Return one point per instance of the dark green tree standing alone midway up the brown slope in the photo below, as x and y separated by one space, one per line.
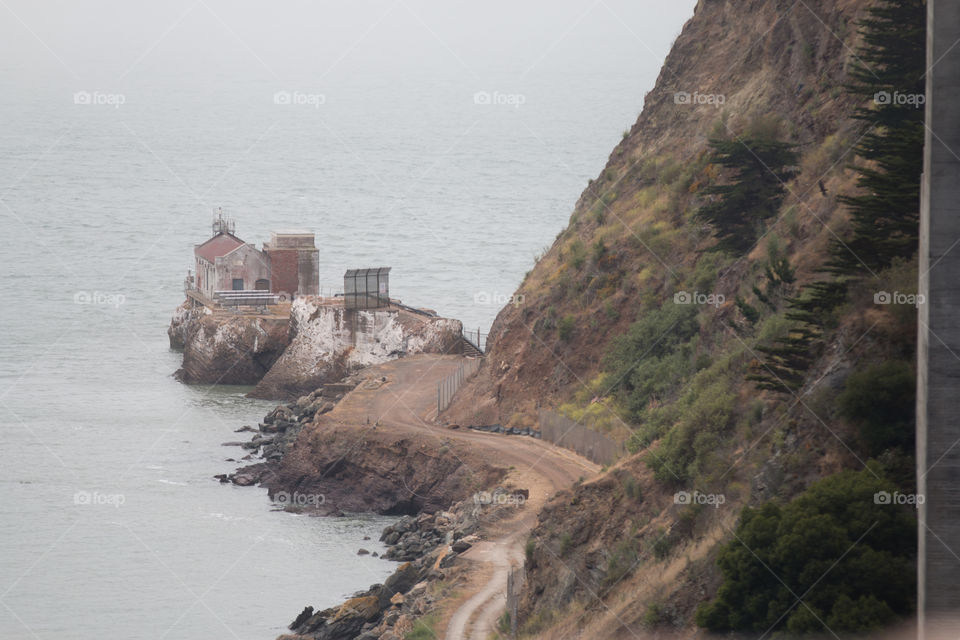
736 210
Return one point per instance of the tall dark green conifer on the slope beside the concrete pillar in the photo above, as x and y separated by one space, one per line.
888 74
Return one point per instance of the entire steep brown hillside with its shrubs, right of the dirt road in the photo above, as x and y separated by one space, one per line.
634 326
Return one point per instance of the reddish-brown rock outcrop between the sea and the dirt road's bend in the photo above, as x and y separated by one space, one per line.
370 469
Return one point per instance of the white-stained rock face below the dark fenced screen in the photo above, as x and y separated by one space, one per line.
329 342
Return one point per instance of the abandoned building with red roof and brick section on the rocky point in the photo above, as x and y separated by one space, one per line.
288 266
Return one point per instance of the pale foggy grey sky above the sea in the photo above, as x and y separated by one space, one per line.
116 43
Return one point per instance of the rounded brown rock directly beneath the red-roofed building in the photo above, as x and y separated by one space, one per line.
220 348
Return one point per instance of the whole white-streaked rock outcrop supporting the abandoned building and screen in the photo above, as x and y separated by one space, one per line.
287 357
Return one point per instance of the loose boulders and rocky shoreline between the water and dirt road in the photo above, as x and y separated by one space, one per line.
427 541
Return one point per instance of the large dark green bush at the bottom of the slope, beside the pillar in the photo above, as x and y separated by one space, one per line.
850 557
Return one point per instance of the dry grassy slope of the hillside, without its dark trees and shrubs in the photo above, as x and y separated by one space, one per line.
618 552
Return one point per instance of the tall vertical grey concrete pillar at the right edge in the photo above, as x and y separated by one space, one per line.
938 348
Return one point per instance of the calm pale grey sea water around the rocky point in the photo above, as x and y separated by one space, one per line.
100 209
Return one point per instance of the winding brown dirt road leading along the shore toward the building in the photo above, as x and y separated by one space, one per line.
407 400
